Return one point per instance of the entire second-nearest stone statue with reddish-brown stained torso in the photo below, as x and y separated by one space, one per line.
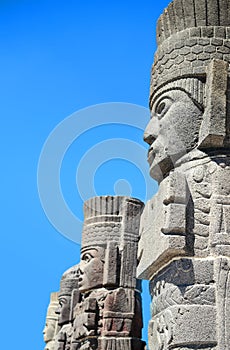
109 314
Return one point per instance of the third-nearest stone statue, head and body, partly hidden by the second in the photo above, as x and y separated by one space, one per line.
67 297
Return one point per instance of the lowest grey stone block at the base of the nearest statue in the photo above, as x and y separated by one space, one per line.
190 325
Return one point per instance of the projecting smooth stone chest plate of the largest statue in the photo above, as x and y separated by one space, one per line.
163 226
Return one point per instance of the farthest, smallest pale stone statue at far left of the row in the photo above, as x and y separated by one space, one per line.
51 327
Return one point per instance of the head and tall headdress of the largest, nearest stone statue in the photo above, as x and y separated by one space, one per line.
189 83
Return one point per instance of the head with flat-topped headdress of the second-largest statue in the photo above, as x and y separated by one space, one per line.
110 234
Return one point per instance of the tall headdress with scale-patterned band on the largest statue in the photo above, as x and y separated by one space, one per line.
207 22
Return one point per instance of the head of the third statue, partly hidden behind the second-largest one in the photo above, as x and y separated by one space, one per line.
68 286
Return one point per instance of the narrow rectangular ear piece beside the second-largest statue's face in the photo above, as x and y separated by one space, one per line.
111 265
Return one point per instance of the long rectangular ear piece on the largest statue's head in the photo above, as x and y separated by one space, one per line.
213 131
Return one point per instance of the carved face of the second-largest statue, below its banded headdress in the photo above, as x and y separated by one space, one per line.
91 269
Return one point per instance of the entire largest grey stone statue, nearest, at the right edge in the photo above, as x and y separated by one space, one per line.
184 247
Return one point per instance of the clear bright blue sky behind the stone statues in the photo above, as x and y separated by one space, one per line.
58 57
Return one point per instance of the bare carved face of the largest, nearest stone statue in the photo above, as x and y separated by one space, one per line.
172 131
